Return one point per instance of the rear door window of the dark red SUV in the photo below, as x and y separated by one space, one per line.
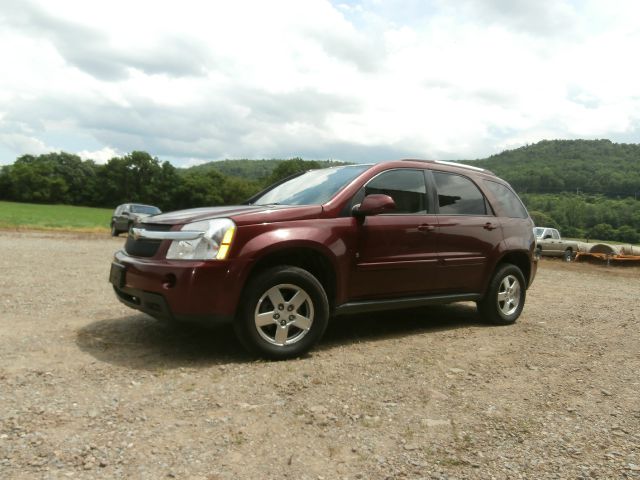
457 195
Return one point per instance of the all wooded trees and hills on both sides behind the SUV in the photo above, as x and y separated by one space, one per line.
585 188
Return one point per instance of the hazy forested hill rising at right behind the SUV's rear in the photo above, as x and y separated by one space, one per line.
578 166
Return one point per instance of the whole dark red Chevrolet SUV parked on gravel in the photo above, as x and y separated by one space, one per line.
335 241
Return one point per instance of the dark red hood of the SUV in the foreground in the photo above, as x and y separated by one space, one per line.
240 214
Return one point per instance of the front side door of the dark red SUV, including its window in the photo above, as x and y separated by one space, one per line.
396 252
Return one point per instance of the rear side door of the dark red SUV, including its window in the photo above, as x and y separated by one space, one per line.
469 235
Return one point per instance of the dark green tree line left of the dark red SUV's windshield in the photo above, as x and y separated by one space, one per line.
64 178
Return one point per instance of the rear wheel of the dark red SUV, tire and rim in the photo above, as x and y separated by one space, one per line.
505 297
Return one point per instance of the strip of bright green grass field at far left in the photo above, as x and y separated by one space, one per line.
54 217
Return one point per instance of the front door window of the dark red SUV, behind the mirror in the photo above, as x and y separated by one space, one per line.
406 187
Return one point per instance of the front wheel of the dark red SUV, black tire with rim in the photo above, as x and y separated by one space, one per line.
289 329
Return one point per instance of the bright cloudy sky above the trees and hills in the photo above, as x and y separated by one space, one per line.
357 80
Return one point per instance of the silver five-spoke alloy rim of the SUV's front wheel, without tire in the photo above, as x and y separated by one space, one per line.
284 314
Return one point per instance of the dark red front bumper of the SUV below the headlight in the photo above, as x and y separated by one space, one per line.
198 291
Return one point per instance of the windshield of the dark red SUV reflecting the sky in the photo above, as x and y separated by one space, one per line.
311 188
